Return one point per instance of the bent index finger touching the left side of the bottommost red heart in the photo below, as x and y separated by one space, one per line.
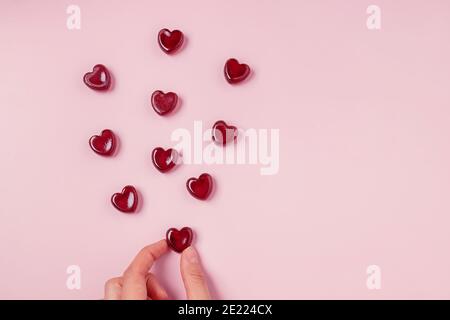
135 276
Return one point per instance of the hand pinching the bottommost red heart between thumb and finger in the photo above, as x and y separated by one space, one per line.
137 283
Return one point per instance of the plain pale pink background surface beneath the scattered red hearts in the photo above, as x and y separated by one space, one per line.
364 157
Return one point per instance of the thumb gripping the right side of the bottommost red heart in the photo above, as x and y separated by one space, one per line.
193 275
